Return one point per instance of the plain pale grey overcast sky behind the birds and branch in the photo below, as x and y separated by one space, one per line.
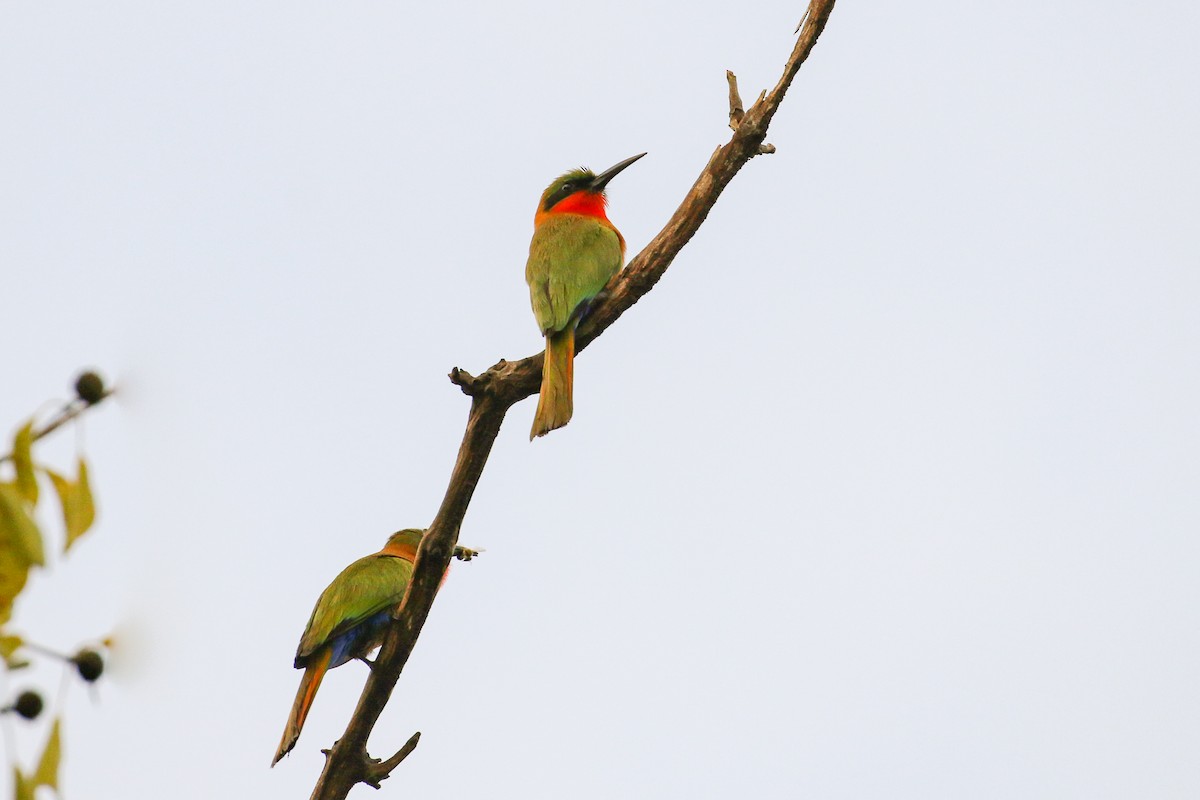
889 490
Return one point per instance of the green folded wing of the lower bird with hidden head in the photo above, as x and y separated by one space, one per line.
362 591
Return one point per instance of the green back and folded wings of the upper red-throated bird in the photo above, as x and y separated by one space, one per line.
572 258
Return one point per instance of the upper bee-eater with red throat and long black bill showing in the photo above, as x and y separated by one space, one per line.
574 254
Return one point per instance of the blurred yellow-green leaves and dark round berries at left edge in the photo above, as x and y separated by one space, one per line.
23 550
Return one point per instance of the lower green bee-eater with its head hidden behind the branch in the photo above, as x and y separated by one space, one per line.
350 621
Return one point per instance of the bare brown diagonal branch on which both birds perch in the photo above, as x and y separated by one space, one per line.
499 389
